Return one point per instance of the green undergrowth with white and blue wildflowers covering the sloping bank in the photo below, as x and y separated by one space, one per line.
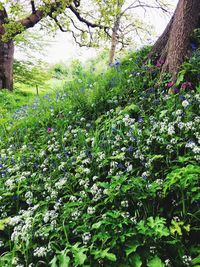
103 173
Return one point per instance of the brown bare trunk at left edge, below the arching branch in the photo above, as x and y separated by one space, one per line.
6 65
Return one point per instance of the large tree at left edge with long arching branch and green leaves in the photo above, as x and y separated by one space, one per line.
18 16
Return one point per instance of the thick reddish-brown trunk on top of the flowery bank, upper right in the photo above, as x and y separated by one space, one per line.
174 44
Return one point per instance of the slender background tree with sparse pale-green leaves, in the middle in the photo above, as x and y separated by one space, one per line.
125 20
